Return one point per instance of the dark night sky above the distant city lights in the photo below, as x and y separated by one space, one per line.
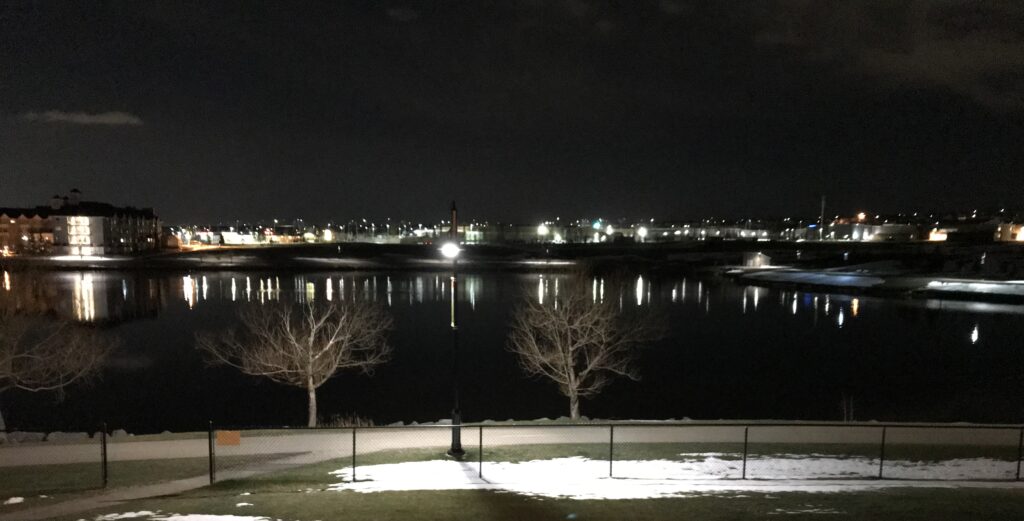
522 111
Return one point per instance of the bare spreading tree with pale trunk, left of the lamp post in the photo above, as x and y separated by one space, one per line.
304 345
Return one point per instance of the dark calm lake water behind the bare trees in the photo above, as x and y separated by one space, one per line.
734 353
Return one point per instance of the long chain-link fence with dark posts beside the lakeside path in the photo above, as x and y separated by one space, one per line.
436 456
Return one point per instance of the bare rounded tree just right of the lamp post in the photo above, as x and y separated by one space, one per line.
579 341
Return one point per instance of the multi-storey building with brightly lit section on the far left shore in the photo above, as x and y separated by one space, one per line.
72 227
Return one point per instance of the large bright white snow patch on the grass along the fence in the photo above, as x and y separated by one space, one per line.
580 479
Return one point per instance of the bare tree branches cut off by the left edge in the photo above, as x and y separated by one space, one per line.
37 355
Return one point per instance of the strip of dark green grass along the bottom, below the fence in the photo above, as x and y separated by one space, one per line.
923 505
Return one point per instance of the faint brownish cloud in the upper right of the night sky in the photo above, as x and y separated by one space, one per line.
975 50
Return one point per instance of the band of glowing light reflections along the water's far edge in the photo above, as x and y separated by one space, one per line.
91 295
